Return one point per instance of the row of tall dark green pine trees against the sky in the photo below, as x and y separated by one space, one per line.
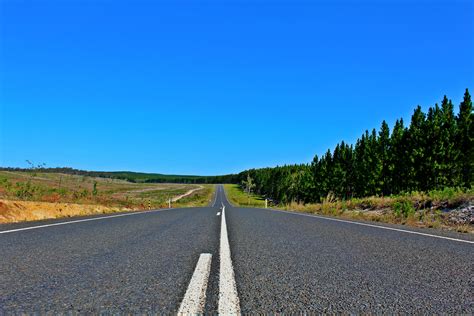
434 151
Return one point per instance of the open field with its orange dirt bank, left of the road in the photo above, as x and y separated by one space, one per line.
81 195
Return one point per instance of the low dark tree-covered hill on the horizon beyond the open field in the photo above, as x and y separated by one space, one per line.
135 176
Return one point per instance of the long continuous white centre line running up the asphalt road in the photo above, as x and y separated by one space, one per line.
228 298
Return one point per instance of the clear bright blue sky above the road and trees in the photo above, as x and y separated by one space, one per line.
190 87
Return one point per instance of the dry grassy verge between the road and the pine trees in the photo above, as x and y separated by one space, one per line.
416 209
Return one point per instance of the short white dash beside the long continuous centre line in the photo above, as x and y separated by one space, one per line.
195 297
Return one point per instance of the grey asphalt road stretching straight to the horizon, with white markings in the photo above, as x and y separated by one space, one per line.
279 262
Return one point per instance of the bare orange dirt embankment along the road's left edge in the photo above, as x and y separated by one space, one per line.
17 211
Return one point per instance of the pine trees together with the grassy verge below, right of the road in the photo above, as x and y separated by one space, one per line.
420 174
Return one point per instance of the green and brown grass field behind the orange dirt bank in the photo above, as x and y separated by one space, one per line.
110 193
